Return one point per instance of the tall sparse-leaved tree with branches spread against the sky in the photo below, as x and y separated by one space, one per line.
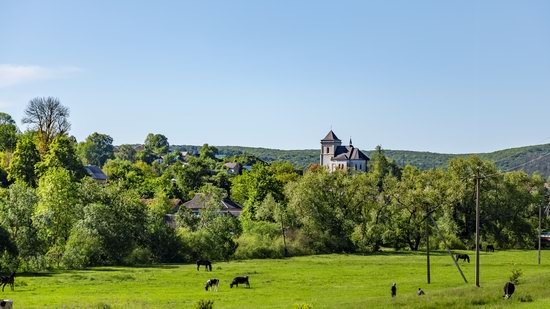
49 118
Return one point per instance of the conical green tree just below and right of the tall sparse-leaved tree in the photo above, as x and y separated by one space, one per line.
62 154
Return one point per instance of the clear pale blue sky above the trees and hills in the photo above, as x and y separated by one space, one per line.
442 76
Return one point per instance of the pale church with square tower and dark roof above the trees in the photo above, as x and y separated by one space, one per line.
335 157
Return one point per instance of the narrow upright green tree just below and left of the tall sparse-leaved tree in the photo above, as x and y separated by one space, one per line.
25 157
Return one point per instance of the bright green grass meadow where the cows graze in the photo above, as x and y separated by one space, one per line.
324 281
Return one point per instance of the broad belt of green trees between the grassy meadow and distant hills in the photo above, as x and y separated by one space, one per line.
53 215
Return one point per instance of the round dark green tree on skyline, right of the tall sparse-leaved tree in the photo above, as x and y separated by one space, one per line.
97 149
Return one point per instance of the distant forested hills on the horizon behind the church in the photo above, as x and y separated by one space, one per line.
530 158
